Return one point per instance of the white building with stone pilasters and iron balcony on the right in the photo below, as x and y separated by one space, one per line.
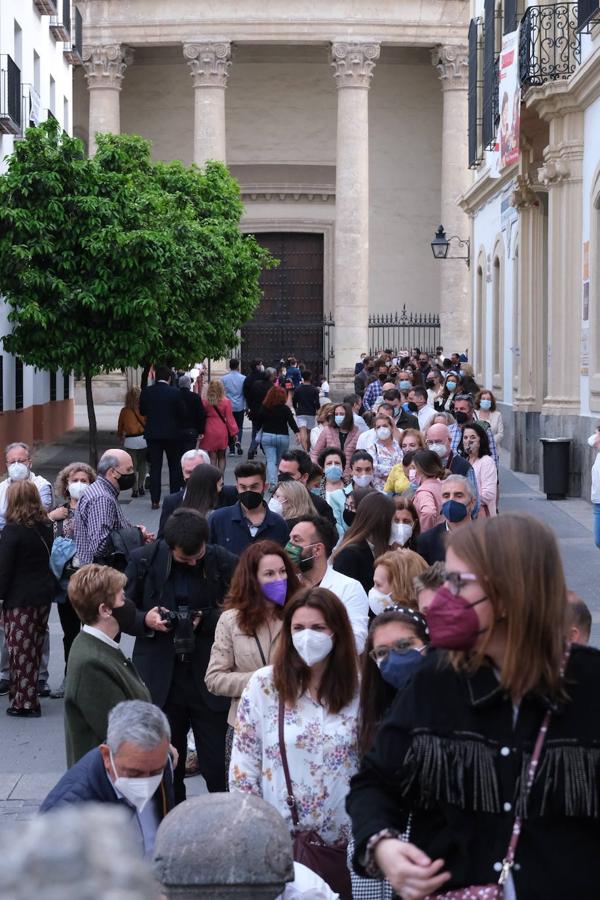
535 235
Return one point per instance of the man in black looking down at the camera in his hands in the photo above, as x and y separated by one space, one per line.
186 576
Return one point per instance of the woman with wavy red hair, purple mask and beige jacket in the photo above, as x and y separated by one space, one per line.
263 581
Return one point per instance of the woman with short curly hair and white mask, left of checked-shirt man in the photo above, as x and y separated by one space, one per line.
71 483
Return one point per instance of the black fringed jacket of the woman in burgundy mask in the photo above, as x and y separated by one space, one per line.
449 754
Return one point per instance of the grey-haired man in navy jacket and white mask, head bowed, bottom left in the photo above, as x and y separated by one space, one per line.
132 768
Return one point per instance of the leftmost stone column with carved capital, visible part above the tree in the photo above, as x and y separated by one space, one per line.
104 66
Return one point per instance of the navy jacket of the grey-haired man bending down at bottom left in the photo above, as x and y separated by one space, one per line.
87 782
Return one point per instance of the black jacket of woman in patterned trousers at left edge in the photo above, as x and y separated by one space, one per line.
25 576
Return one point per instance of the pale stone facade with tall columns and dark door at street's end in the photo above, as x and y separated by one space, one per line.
345 125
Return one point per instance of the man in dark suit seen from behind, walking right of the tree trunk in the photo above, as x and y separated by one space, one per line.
165 411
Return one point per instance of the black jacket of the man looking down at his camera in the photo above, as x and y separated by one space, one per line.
149 584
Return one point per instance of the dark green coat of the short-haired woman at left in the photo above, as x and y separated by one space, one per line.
98 677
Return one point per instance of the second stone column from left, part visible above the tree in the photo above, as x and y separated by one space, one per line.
209 64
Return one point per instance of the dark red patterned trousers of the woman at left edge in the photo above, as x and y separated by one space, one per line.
25 630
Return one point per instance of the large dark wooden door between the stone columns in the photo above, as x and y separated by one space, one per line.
289 320
